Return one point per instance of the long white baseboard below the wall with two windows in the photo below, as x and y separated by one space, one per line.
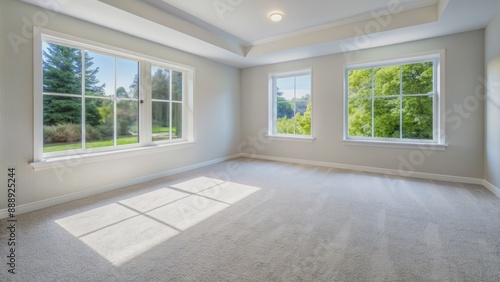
391 172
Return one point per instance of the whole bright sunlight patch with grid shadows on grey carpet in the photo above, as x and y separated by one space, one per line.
121 231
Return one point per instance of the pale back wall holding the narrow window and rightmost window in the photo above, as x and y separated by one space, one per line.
464 67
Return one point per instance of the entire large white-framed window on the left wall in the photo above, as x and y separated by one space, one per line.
97 98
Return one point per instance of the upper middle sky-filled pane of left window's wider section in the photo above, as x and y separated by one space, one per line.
99 74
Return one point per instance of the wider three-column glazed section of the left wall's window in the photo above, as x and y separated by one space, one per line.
90 99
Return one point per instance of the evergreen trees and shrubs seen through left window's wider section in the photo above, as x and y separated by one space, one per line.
62 74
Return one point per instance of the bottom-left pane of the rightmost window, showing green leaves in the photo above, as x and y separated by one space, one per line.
360 118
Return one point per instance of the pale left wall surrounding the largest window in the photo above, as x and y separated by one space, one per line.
216 110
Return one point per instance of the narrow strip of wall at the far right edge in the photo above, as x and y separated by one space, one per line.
492 115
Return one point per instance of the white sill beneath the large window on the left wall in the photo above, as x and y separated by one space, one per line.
73 160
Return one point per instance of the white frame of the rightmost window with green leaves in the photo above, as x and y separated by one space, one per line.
439 112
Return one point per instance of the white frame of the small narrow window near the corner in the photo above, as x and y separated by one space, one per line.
272 109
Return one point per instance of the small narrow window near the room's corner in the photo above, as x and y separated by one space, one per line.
290 104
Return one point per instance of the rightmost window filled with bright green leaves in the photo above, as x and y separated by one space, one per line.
394 101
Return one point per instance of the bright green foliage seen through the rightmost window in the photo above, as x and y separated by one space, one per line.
387 107
